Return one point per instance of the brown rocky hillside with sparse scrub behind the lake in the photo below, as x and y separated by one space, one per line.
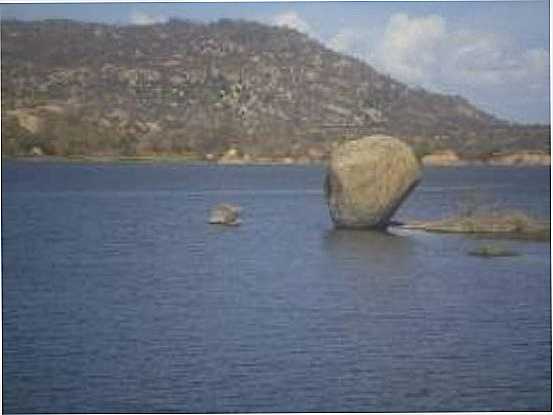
183 88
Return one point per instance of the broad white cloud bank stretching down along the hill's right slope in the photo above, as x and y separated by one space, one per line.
488 68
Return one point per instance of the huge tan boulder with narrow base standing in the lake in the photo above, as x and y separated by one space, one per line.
368 179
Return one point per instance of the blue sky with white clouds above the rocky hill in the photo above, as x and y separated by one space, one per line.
494 53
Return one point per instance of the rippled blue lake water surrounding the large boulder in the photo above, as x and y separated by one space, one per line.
118 296
